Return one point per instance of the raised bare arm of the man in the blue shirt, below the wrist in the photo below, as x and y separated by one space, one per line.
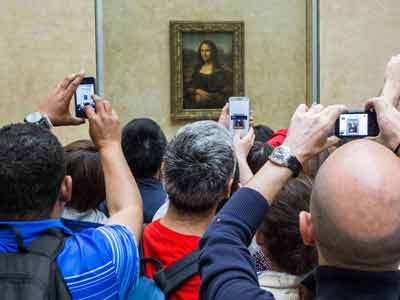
122 194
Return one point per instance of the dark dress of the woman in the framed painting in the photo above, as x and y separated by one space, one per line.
218 84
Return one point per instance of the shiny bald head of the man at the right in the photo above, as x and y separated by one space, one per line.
355 207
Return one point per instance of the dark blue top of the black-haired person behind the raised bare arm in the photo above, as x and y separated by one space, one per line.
153 196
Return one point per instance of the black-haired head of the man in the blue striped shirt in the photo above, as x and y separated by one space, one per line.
32 172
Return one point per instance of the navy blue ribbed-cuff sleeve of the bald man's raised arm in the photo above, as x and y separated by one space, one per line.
225 263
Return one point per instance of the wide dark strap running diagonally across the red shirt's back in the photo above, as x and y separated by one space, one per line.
171 278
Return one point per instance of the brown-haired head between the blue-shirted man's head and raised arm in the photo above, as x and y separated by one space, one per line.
84 166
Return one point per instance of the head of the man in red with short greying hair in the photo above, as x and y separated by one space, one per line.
198 167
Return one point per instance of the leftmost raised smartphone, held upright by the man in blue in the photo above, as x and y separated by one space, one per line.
83 96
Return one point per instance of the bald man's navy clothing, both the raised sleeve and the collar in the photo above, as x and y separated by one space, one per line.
227 269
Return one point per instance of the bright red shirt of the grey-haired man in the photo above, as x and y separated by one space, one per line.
169 246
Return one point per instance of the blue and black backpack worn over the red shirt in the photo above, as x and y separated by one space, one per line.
165 280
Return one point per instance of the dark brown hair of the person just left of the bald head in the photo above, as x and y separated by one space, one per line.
281 232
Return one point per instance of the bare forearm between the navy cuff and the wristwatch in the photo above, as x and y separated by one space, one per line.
269 180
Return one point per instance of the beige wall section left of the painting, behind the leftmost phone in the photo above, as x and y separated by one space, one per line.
40 43
